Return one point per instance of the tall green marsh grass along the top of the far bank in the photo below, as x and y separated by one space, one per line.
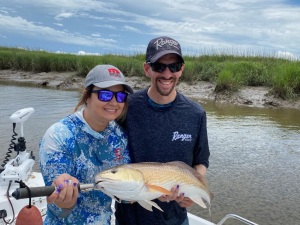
228 72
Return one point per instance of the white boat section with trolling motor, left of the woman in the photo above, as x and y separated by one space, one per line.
18 173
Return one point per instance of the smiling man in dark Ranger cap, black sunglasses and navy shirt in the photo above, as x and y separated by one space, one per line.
163 126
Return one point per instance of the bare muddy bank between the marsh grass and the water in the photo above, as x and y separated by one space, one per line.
250 96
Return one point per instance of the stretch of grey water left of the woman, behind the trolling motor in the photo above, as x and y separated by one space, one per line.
50 105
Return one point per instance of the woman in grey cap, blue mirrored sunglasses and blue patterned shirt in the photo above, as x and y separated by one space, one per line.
79 146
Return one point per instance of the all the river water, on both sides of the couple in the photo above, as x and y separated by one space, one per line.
255 153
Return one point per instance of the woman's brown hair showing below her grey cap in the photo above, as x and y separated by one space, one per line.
87 92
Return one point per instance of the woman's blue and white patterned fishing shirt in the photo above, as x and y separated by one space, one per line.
72 146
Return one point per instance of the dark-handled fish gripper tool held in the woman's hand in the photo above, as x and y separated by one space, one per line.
21 193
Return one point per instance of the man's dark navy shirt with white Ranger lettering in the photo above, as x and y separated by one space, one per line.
163 133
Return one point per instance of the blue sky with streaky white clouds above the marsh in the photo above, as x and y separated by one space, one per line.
239 27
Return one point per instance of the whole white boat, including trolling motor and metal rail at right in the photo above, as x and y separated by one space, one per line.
21 187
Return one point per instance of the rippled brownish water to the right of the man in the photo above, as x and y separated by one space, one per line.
254 164
